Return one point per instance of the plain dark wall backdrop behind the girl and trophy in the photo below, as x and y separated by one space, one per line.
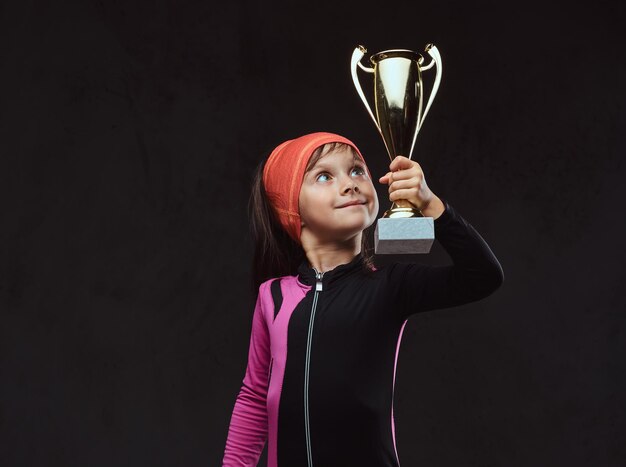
128 136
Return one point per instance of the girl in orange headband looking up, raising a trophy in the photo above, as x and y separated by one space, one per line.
327 323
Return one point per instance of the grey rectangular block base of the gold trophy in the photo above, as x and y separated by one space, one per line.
403 235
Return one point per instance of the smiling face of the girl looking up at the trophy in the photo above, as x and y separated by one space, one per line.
336 179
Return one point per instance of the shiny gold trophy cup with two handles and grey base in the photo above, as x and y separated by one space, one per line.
398 99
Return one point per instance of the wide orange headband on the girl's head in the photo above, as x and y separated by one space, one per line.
284 172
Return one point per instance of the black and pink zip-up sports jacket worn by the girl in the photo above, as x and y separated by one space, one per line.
323 352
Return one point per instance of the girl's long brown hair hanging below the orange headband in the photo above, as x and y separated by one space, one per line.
275 252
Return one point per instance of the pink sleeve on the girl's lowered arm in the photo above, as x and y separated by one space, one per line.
247 433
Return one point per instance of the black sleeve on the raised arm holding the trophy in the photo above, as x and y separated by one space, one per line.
474 274
